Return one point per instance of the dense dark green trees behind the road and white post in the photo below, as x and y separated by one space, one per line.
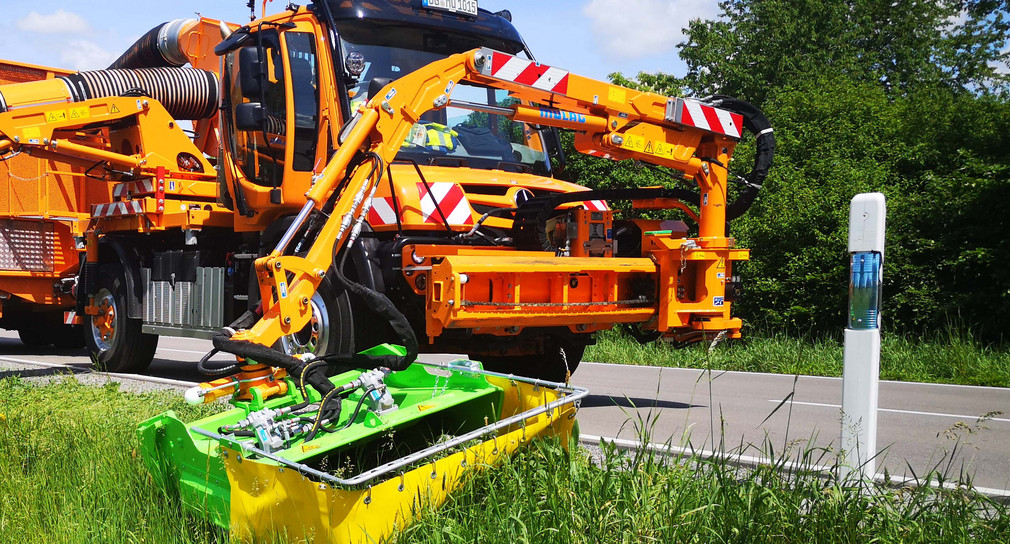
905 97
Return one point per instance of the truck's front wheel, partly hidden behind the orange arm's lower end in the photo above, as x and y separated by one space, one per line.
332 330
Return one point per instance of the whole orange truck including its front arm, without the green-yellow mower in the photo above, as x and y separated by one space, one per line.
351 173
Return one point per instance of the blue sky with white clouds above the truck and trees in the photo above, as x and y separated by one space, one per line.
589 38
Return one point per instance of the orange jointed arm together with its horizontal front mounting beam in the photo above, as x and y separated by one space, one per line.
676 286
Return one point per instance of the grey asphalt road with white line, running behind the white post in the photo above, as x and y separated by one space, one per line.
923 427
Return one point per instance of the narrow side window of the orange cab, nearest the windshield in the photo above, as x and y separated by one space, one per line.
306 94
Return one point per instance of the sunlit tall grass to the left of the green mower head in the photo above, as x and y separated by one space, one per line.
70 471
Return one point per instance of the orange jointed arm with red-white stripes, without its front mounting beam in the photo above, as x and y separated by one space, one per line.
614 122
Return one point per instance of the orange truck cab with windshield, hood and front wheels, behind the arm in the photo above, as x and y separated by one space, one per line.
290 85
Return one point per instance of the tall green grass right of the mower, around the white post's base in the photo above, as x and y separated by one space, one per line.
545 495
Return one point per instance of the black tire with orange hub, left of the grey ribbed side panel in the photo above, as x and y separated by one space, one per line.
115 341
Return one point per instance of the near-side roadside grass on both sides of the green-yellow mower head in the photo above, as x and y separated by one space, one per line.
70 473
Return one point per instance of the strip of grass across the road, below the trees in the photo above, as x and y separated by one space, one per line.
952 358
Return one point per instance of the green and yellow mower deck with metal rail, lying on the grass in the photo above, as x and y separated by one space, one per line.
252 492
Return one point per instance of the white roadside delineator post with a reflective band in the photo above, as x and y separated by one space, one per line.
861 375
